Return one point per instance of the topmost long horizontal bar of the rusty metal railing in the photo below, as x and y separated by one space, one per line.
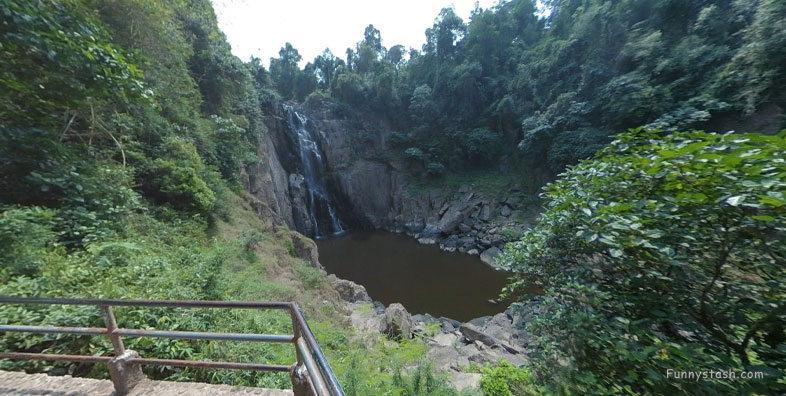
149 303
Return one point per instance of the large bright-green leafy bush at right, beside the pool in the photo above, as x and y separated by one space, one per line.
663 253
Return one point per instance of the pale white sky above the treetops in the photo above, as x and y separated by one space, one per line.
261 27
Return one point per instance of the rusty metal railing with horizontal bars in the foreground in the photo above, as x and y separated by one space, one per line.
320 379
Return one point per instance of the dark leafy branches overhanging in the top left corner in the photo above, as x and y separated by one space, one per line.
40 40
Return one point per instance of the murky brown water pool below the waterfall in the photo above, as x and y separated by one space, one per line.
423 278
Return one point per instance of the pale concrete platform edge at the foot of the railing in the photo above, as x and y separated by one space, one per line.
22 384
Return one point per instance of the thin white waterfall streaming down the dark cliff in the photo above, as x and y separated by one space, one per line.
321 210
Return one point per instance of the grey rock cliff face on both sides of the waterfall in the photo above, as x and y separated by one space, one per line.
370 187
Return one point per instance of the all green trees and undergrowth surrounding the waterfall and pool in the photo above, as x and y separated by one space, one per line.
654 131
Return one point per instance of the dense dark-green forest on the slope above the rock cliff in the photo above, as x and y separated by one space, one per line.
585 70
